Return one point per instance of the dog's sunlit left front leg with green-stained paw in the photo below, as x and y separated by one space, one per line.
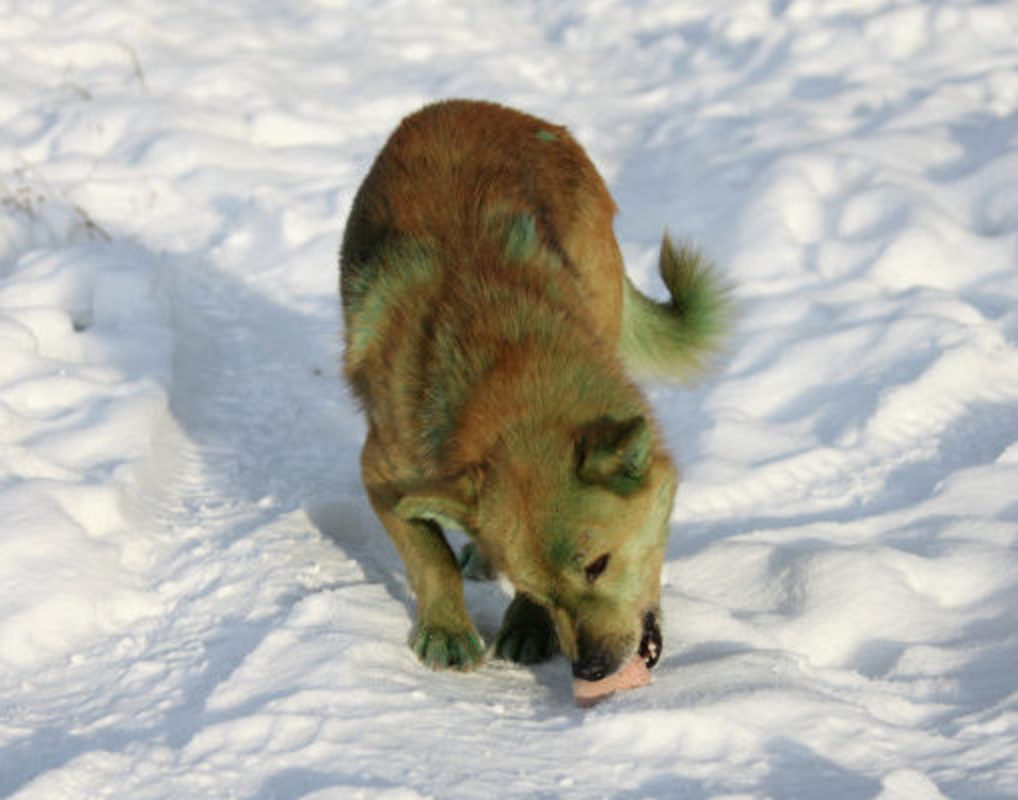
445 637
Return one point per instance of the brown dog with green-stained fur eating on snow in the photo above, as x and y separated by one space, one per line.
489 325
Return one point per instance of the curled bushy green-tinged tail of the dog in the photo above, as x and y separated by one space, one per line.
676 339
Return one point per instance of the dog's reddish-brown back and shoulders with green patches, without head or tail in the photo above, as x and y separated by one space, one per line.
478 228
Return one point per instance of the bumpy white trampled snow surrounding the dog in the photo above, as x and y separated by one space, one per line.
196 600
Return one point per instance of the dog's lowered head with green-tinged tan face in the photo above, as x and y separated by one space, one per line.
579 521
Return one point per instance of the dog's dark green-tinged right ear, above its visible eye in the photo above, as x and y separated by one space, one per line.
613 453
